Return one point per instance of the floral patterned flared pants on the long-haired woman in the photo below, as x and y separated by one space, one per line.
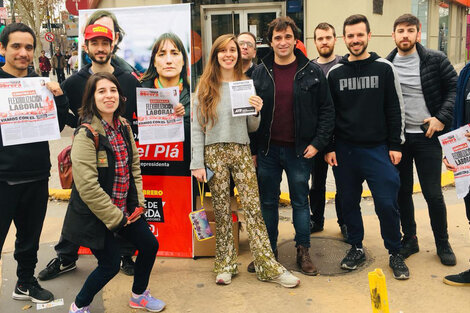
223 159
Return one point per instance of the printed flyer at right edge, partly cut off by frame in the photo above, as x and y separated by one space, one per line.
456 149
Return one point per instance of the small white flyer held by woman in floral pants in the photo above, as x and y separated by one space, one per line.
240 93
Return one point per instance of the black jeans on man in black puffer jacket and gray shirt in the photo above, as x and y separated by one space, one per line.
427 155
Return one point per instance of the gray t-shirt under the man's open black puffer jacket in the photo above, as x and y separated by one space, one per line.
416 111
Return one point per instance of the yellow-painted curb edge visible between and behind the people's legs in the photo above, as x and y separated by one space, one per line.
446 180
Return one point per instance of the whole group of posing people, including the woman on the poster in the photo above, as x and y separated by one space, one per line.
366 116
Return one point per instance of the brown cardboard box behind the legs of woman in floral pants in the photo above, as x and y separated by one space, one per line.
207 247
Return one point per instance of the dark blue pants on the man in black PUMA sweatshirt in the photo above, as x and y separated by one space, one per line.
356 164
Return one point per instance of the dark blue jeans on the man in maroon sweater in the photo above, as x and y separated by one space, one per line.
298 170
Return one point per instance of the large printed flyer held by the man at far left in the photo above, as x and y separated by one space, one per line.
27 111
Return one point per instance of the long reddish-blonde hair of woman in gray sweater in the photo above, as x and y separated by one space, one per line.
209 85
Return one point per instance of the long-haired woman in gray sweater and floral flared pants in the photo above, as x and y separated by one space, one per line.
221 142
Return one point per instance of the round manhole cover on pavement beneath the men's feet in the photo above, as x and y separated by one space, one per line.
326 254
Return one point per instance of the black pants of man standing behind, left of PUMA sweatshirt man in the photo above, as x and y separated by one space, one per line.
317 192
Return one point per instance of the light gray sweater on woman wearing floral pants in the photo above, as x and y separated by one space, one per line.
227 129
